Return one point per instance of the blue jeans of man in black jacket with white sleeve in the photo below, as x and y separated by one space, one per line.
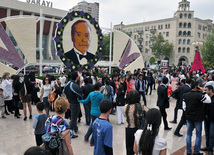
190 127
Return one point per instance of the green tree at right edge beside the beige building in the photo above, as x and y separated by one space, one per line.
207 51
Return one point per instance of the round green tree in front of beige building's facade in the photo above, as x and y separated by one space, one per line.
161 48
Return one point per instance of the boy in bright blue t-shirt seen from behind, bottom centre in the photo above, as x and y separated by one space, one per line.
102 130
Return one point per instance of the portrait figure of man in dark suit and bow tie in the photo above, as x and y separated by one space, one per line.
80 36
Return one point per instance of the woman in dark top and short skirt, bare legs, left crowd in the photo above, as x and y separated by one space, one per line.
27 86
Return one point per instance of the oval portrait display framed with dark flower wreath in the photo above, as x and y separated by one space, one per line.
78 40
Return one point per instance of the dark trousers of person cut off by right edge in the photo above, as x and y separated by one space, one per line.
209 132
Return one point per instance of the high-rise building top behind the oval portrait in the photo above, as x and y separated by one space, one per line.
91 8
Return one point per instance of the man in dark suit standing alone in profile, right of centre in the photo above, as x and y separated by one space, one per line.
163 101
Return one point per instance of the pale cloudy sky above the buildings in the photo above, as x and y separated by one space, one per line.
135 11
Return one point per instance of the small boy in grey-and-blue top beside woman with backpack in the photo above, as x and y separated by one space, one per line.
39 123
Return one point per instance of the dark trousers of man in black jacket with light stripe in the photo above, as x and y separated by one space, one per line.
75 110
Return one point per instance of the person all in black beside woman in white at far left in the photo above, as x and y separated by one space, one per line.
17 87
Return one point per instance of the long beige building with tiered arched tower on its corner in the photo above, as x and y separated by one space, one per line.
181 31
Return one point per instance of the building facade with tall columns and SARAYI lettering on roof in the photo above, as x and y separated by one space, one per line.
10 8
